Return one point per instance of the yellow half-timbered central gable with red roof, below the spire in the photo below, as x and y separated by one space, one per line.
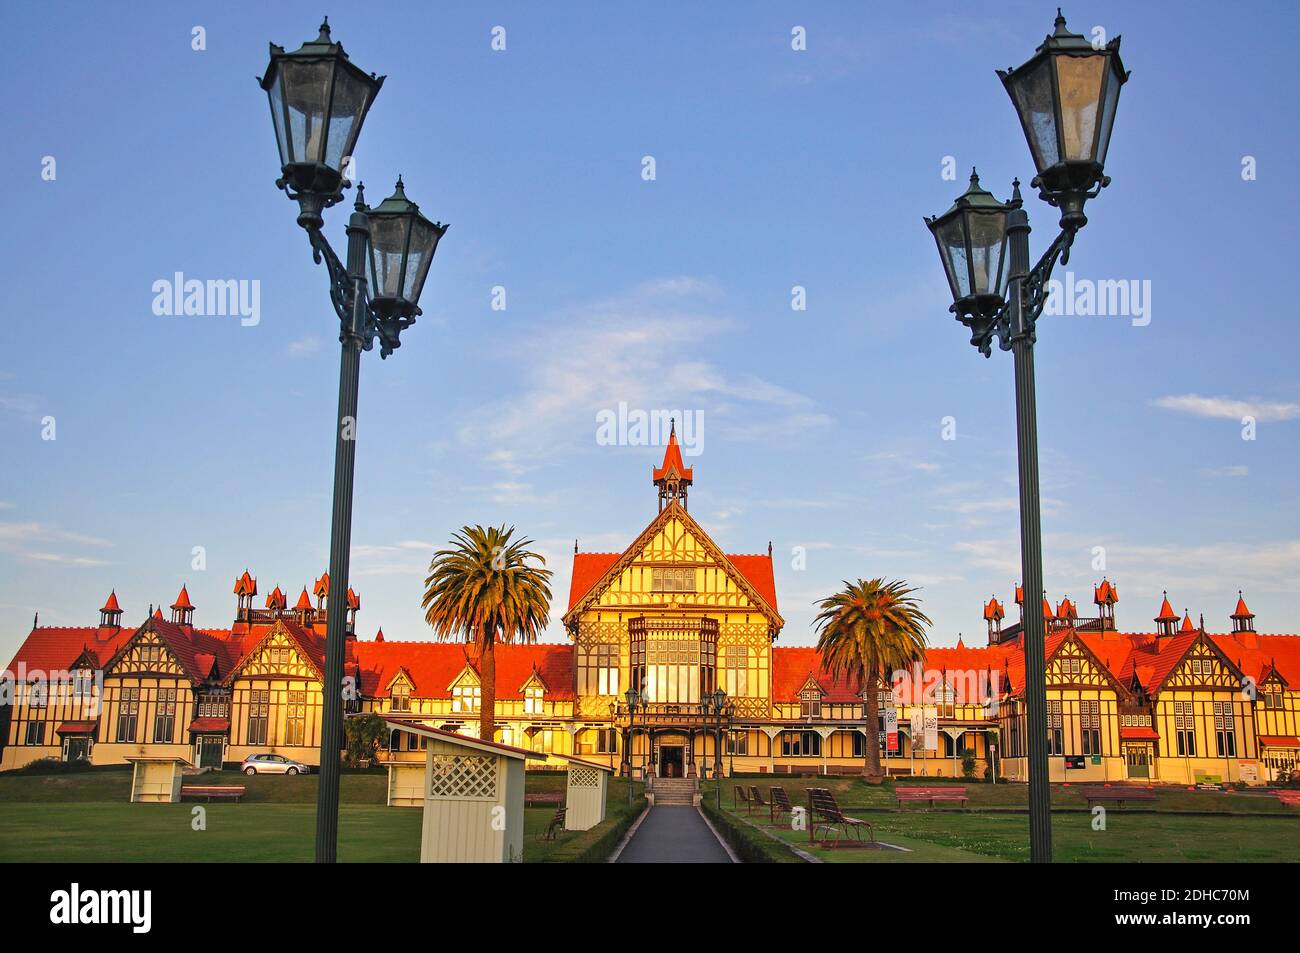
673 564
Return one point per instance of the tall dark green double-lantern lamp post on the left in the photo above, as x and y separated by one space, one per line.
319 101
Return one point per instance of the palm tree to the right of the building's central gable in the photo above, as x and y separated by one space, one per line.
868 629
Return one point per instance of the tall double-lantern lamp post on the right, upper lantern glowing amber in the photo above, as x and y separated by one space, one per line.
1067 98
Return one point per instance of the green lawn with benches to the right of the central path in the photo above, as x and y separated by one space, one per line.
1242 828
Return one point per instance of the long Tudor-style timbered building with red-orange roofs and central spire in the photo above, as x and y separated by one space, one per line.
674 618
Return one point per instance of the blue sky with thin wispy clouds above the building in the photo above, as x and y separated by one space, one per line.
775 168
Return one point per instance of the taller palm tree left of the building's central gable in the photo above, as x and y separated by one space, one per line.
483 591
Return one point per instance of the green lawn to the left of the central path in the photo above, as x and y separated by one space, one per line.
88 817
